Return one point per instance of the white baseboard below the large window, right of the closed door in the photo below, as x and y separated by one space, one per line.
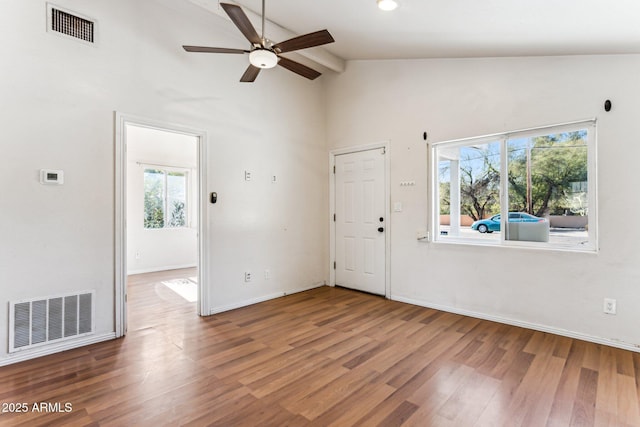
527 325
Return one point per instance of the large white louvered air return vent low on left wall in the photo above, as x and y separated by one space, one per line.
42 321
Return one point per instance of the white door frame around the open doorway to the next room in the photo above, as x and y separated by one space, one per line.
121 121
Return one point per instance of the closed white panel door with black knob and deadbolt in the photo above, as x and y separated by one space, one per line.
360 221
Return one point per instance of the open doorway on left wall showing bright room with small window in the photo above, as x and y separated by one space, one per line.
159 217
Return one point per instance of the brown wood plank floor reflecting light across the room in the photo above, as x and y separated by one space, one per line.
325 357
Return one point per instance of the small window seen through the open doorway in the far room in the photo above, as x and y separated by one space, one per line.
165 198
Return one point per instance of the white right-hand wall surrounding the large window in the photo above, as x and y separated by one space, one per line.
559 291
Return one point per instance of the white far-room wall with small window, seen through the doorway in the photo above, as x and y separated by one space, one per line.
166 248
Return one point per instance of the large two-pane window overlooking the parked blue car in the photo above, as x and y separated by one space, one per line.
527 188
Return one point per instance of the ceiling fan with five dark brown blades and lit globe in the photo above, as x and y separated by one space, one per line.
264 53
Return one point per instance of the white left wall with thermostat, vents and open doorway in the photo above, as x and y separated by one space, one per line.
58 99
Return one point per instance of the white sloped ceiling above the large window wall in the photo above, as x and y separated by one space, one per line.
462 28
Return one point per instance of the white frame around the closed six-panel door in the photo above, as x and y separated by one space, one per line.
387 208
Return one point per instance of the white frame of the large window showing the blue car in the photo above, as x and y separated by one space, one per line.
503 138
